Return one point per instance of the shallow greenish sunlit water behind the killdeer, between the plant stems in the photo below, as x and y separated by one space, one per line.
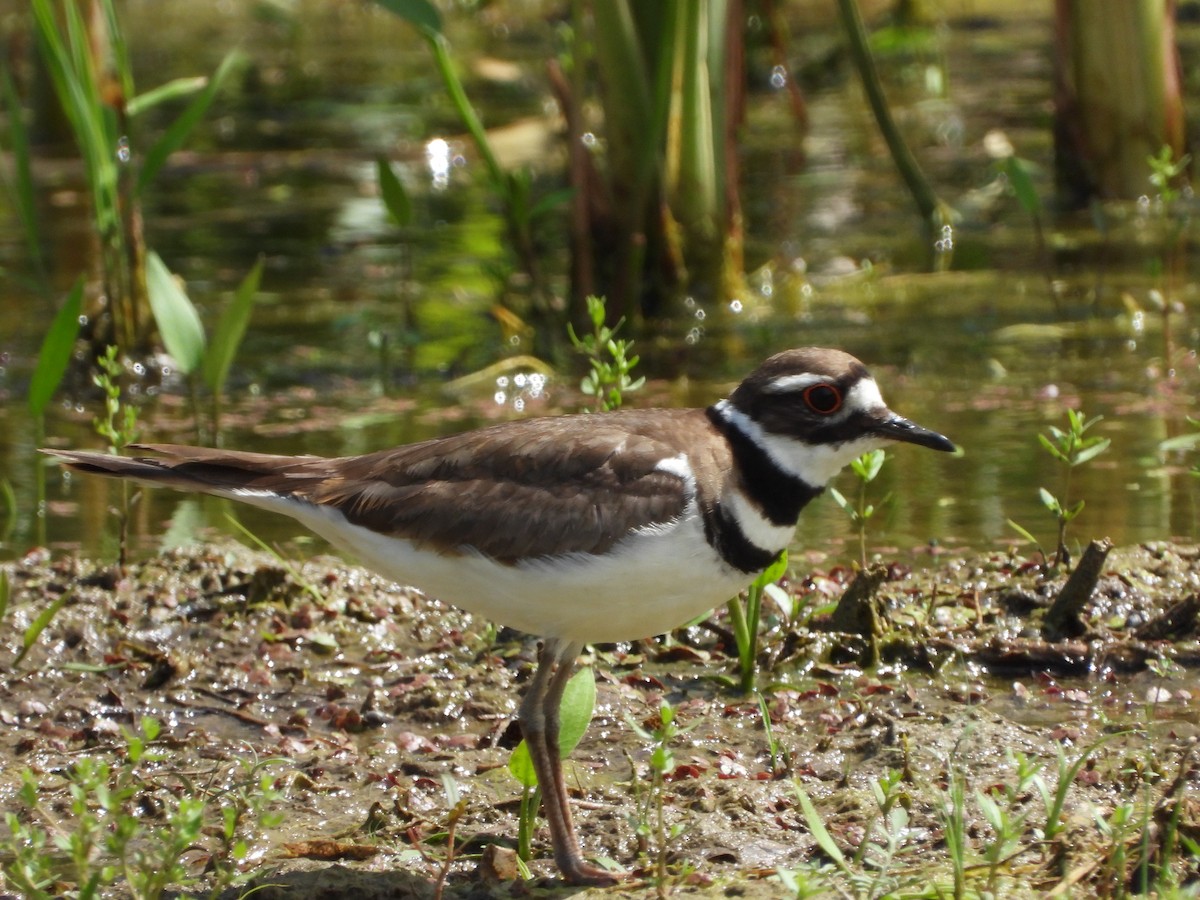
837 257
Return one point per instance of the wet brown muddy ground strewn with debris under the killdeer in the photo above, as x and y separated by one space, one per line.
357 699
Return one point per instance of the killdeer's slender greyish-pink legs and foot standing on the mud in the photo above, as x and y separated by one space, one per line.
539 725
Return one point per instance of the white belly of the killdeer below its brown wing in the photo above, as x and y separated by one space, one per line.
644 587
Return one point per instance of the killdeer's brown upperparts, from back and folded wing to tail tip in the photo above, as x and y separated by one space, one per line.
541 487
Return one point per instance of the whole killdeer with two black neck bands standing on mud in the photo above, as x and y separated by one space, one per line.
578 529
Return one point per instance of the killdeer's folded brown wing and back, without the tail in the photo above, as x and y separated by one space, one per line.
537 488
